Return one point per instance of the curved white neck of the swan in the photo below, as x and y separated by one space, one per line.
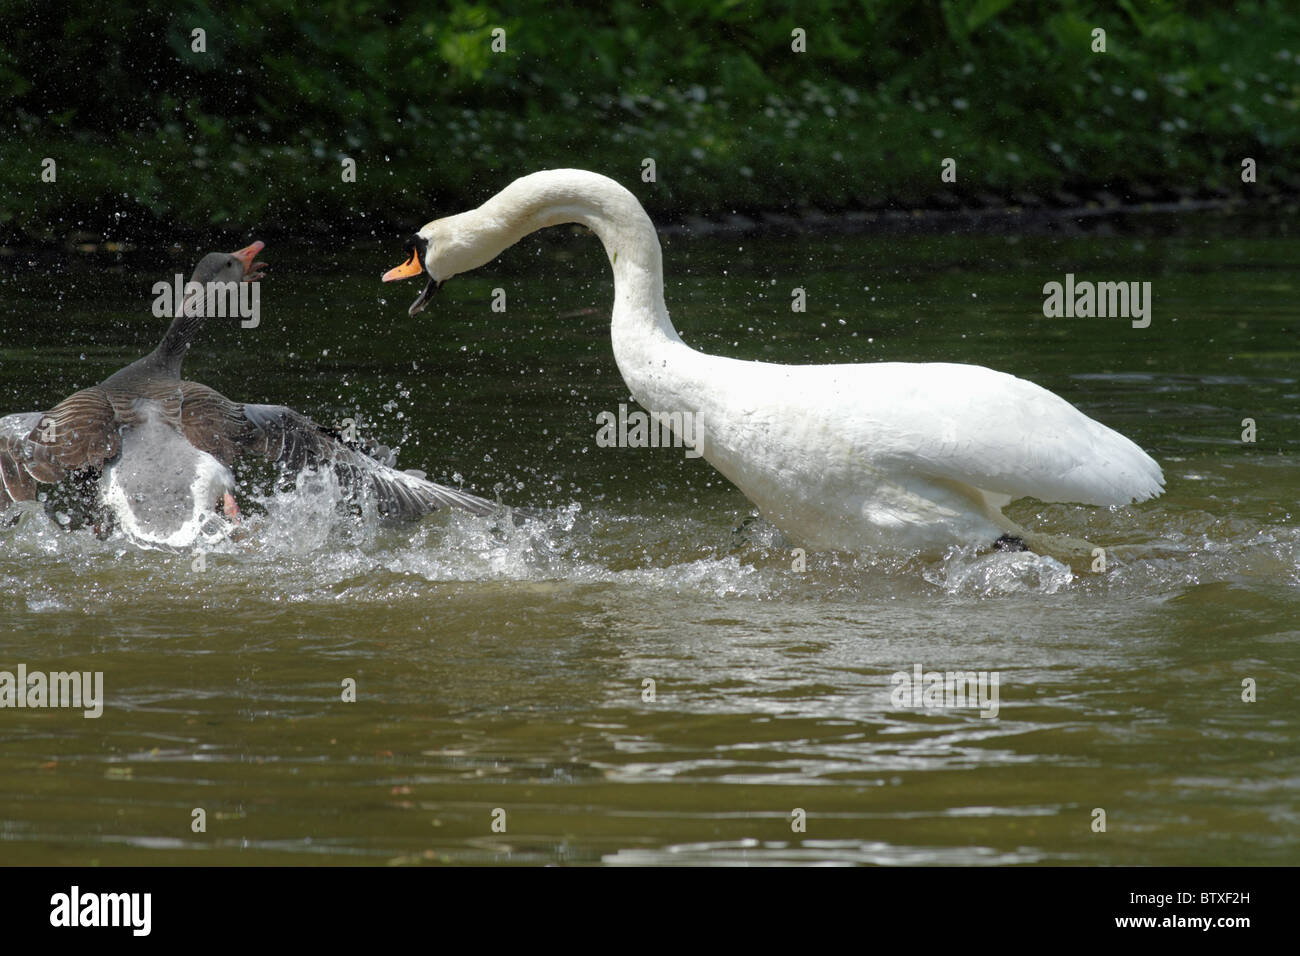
640 322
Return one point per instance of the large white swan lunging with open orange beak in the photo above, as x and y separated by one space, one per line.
851 457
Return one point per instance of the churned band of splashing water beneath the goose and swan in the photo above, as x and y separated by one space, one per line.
305 543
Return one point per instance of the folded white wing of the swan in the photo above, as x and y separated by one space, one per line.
1008 436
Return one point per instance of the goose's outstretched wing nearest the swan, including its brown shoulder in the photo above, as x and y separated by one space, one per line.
296 443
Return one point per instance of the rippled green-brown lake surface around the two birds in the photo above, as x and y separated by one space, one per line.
504 668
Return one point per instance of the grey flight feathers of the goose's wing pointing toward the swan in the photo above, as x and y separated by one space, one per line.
297 443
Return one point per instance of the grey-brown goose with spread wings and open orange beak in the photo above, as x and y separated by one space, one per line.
161 449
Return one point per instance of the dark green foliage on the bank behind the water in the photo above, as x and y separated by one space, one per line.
253 132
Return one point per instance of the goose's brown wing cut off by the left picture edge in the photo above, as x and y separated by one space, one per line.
42 448
